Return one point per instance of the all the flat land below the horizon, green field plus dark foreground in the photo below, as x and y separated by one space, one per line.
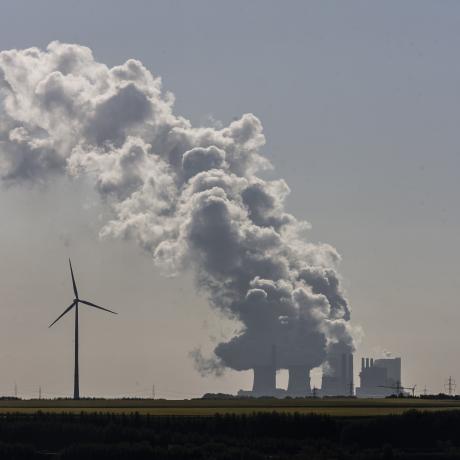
241 429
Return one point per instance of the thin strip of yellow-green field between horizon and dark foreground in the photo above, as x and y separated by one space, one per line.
336 407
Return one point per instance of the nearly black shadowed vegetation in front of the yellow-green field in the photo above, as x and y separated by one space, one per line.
275 436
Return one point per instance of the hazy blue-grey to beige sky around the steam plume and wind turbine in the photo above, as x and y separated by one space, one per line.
360 103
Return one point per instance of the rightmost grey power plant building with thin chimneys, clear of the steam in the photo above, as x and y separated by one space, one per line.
379 377
